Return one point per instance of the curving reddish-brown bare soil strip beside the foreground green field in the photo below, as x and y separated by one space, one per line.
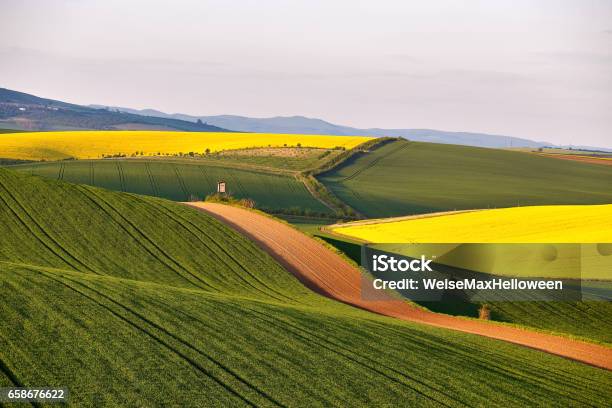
329 274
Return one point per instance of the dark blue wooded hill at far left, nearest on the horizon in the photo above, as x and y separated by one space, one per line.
23 111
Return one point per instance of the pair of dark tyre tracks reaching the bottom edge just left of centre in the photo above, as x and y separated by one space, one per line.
206 371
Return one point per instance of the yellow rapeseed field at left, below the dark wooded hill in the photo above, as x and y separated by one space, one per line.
94 144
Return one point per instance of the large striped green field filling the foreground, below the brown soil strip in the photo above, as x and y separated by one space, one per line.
134 300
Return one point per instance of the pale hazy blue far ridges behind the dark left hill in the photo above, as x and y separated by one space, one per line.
303 125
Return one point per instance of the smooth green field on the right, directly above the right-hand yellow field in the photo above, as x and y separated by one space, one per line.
402 178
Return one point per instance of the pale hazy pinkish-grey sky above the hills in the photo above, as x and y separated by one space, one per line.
536 69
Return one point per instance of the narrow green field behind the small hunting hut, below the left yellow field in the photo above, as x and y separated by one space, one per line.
181 180
